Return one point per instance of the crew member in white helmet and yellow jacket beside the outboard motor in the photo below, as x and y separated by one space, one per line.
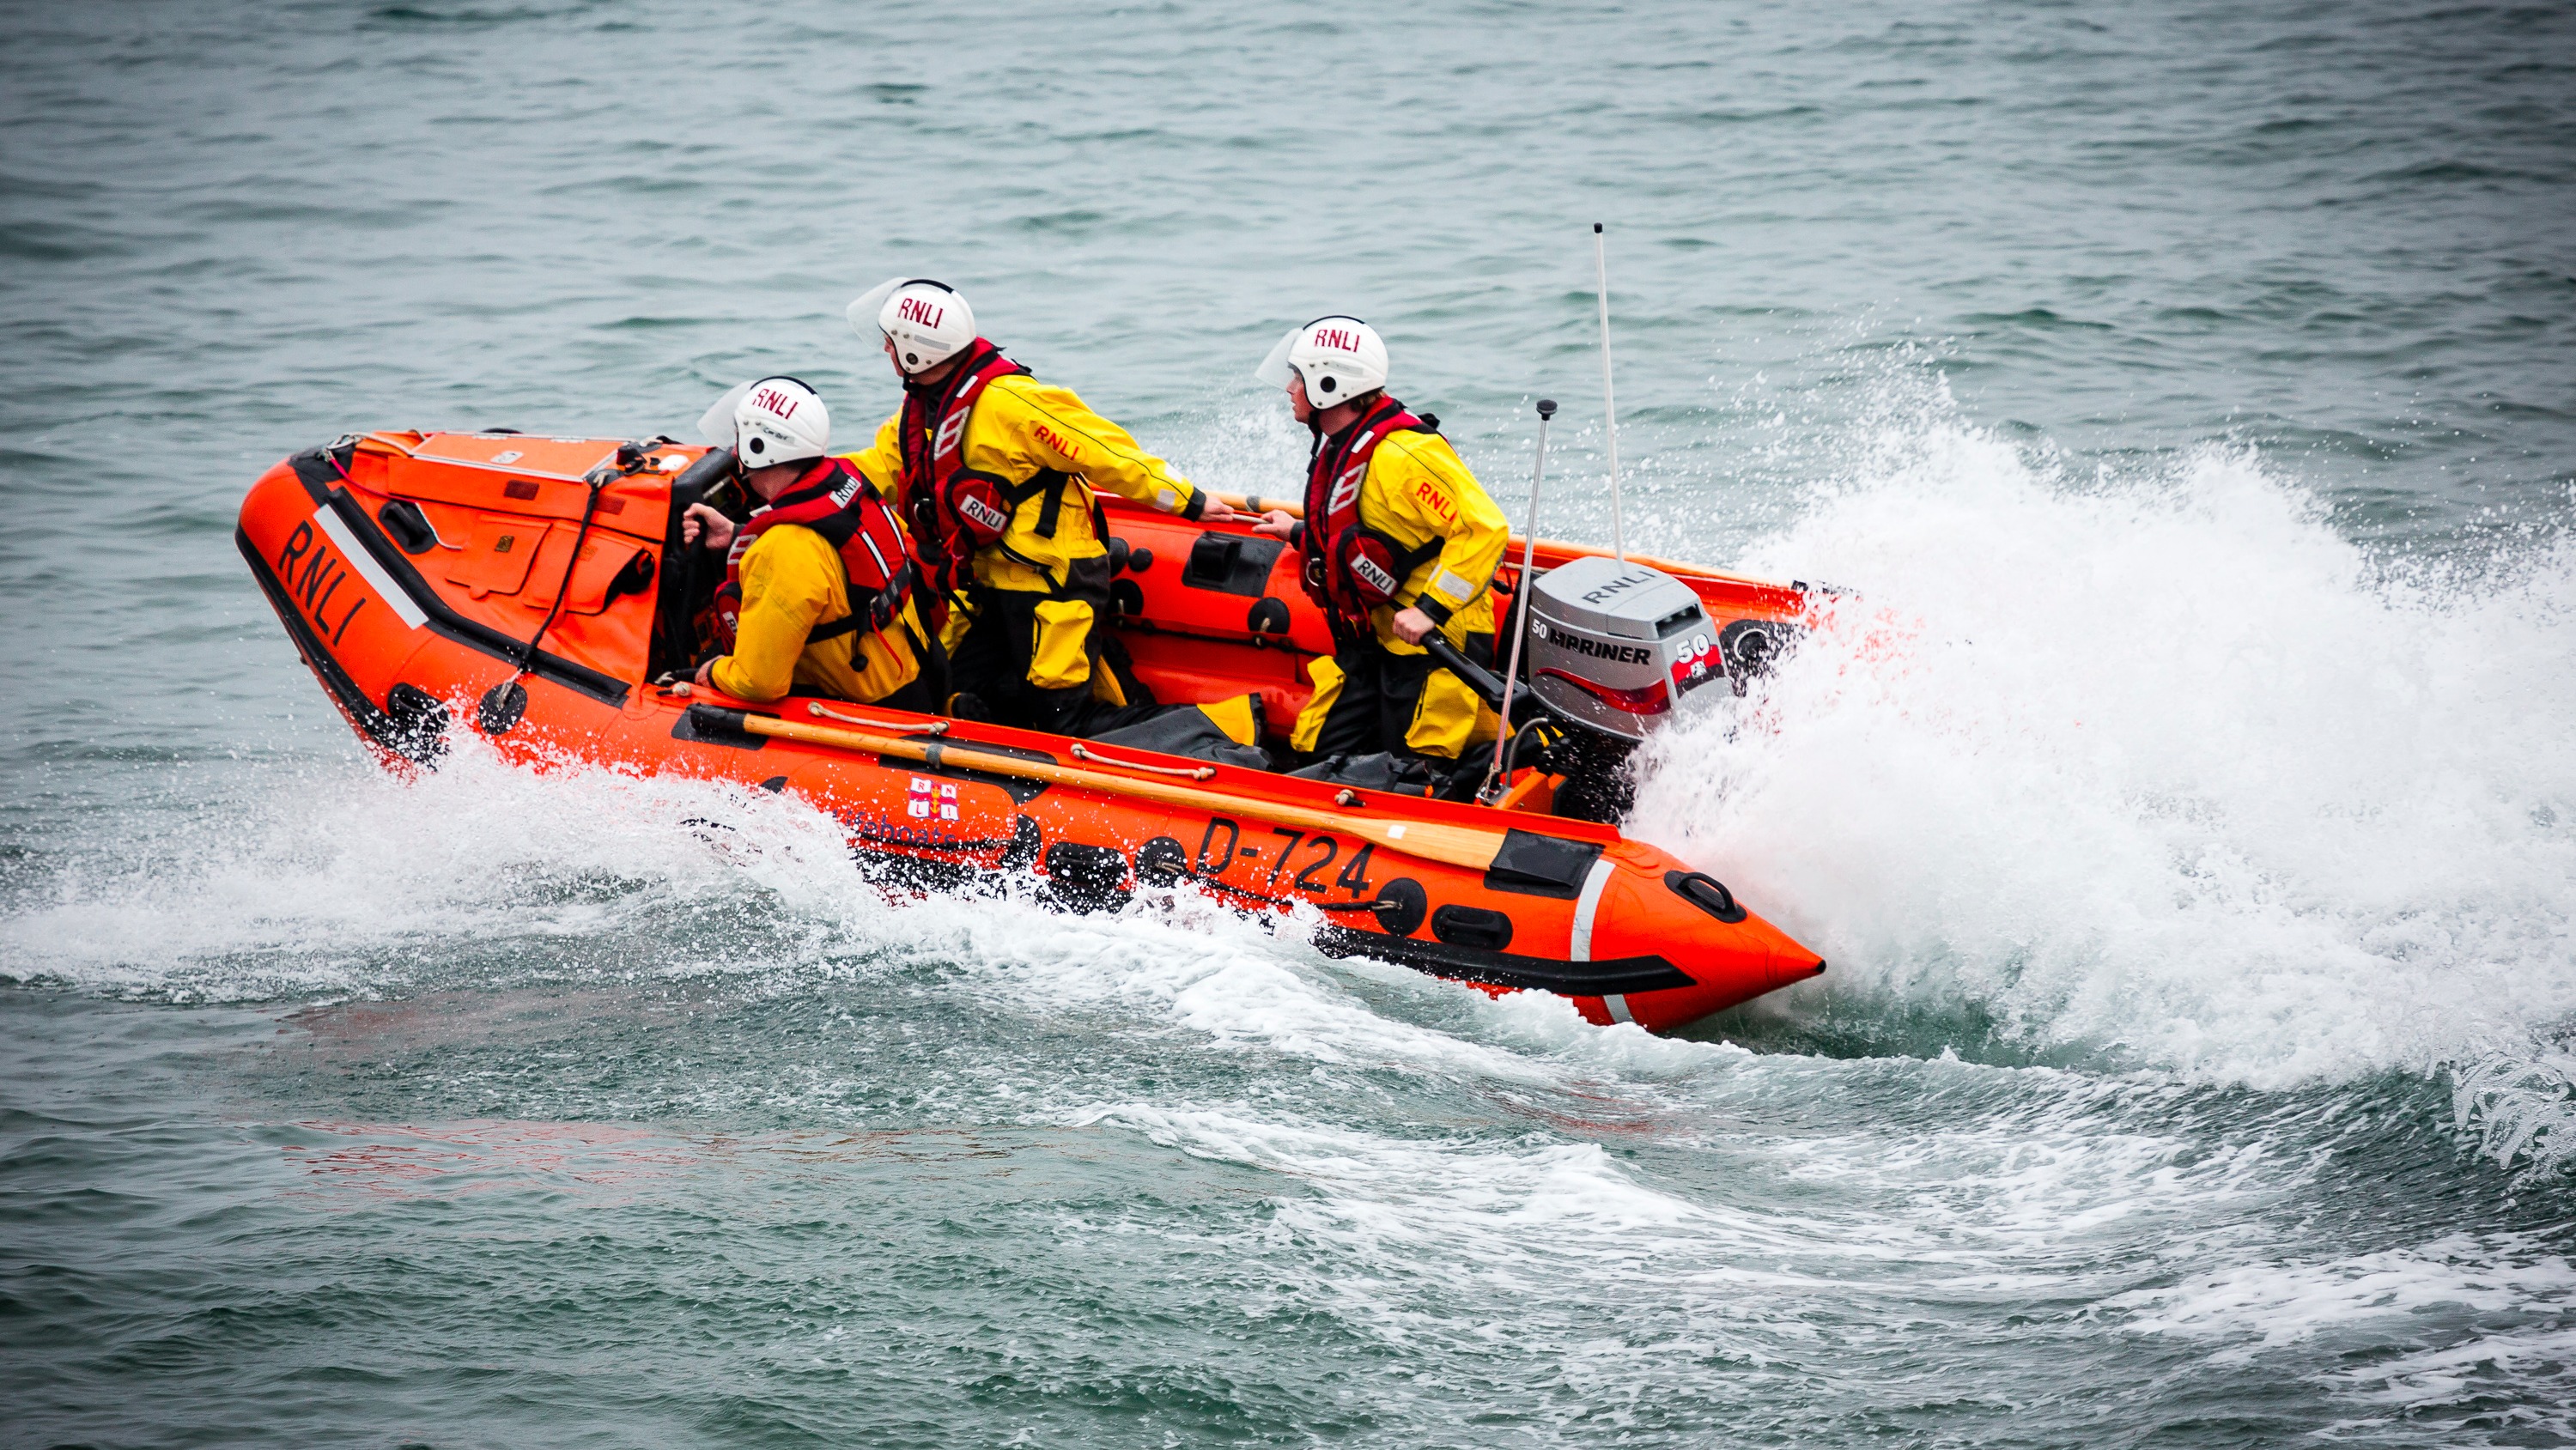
1400 540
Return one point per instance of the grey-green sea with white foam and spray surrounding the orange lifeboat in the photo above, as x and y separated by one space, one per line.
2188 393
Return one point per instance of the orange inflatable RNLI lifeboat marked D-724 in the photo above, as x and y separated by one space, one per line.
535 591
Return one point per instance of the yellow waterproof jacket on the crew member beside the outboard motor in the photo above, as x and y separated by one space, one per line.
1418 488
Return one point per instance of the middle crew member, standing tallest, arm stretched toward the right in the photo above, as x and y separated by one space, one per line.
996 475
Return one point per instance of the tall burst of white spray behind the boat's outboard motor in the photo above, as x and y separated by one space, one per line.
2155 766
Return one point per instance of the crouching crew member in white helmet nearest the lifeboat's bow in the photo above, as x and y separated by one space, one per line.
818 586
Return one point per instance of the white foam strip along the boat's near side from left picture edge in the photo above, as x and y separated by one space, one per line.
354 880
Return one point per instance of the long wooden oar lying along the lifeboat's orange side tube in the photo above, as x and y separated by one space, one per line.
1431 841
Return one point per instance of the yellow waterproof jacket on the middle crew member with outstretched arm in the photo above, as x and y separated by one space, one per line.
1021 429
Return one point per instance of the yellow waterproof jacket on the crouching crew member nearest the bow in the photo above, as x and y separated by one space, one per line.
792 581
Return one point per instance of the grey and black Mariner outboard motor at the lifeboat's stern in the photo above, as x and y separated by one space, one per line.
1614 648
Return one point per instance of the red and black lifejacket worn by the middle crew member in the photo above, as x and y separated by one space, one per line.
954 509
